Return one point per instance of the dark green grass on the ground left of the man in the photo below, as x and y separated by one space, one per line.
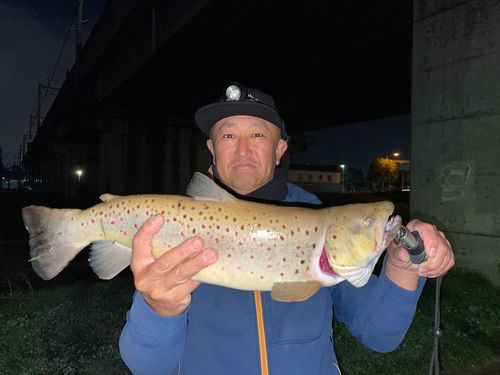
68 329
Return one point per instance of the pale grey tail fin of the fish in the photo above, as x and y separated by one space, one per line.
51 246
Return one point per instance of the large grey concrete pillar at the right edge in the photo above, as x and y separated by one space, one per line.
456 126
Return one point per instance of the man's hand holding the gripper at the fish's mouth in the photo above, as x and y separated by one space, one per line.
440 257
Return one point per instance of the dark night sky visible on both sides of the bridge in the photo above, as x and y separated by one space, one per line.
32 35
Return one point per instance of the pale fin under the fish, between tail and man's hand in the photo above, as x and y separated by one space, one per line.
109 258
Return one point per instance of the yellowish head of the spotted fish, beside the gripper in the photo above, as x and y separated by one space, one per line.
357 236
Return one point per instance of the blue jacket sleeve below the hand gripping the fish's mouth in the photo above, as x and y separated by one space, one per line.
377 314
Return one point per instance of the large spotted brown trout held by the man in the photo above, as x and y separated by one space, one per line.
290 251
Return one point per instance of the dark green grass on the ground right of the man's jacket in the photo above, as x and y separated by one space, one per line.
470 317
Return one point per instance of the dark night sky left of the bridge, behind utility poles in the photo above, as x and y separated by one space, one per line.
32 34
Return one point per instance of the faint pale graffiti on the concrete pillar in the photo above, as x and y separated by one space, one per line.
453 178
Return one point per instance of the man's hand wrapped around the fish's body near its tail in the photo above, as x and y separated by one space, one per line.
165 282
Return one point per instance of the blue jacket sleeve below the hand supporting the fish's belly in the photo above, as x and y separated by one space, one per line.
152 343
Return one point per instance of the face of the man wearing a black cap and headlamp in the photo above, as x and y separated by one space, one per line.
246 150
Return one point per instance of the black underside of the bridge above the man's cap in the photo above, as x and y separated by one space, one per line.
326 63
